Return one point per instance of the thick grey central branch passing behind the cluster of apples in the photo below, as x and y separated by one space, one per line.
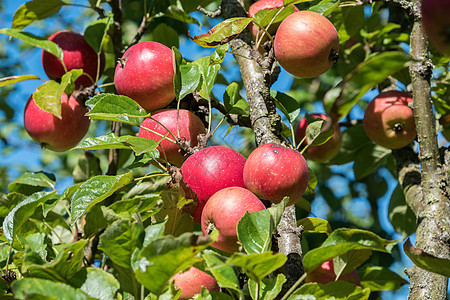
266 124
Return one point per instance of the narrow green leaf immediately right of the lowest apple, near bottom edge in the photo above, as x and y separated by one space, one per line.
224 273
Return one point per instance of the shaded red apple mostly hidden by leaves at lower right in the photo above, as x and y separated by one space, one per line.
325 274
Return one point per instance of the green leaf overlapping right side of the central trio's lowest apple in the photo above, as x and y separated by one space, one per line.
255 229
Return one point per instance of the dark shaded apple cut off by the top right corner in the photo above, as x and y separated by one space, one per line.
436 23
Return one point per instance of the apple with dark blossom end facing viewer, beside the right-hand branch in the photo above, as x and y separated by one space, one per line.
389 121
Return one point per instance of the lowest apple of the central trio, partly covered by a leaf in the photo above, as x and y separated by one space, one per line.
224 210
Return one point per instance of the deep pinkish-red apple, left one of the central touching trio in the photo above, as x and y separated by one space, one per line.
210 170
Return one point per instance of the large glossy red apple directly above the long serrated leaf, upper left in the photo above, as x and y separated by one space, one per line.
145 74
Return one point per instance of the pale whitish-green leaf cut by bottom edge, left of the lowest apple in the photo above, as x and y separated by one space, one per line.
96 283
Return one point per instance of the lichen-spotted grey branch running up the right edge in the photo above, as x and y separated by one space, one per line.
433 211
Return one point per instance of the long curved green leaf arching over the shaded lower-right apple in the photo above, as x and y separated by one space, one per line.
343 240
